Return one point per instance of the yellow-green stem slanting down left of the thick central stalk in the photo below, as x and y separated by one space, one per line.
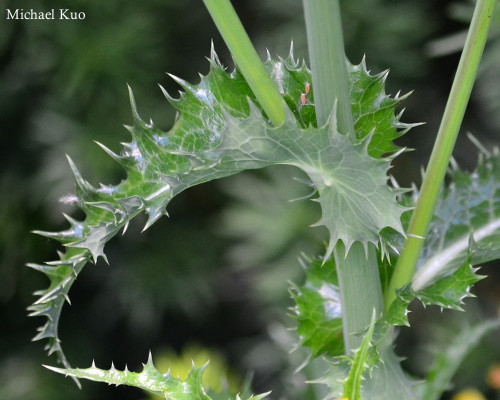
246 58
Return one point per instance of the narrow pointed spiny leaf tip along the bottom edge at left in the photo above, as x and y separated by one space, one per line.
149 379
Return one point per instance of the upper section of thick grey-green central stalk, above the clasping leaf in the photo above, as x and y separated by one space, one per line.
325 41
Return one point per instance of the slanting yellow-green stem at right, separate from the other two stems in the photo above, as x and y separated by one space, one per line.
443 147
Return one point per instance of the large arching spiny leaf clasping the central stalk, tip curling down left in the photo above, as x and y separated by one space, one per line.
221 130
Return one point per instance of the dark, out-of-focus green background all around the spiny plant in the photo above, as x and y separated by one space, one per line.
213 276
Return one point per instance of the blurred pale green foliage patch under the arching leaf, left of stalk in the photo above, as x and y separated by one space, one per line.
268 221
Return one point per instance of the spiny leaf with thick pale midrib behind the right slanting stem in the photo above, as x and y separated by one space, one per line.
465 232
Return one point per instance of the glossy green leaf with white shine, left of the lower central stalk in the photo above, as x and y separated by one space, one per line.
318 311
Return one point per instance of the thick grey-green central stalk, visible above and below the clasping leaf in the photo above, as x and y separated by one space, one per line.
358 269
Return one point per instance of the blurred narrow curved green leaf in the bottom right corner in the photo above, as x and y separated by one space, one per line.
449 358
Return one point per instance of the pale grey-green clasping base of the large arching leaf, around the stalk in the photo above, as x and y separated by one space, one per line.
355 200
